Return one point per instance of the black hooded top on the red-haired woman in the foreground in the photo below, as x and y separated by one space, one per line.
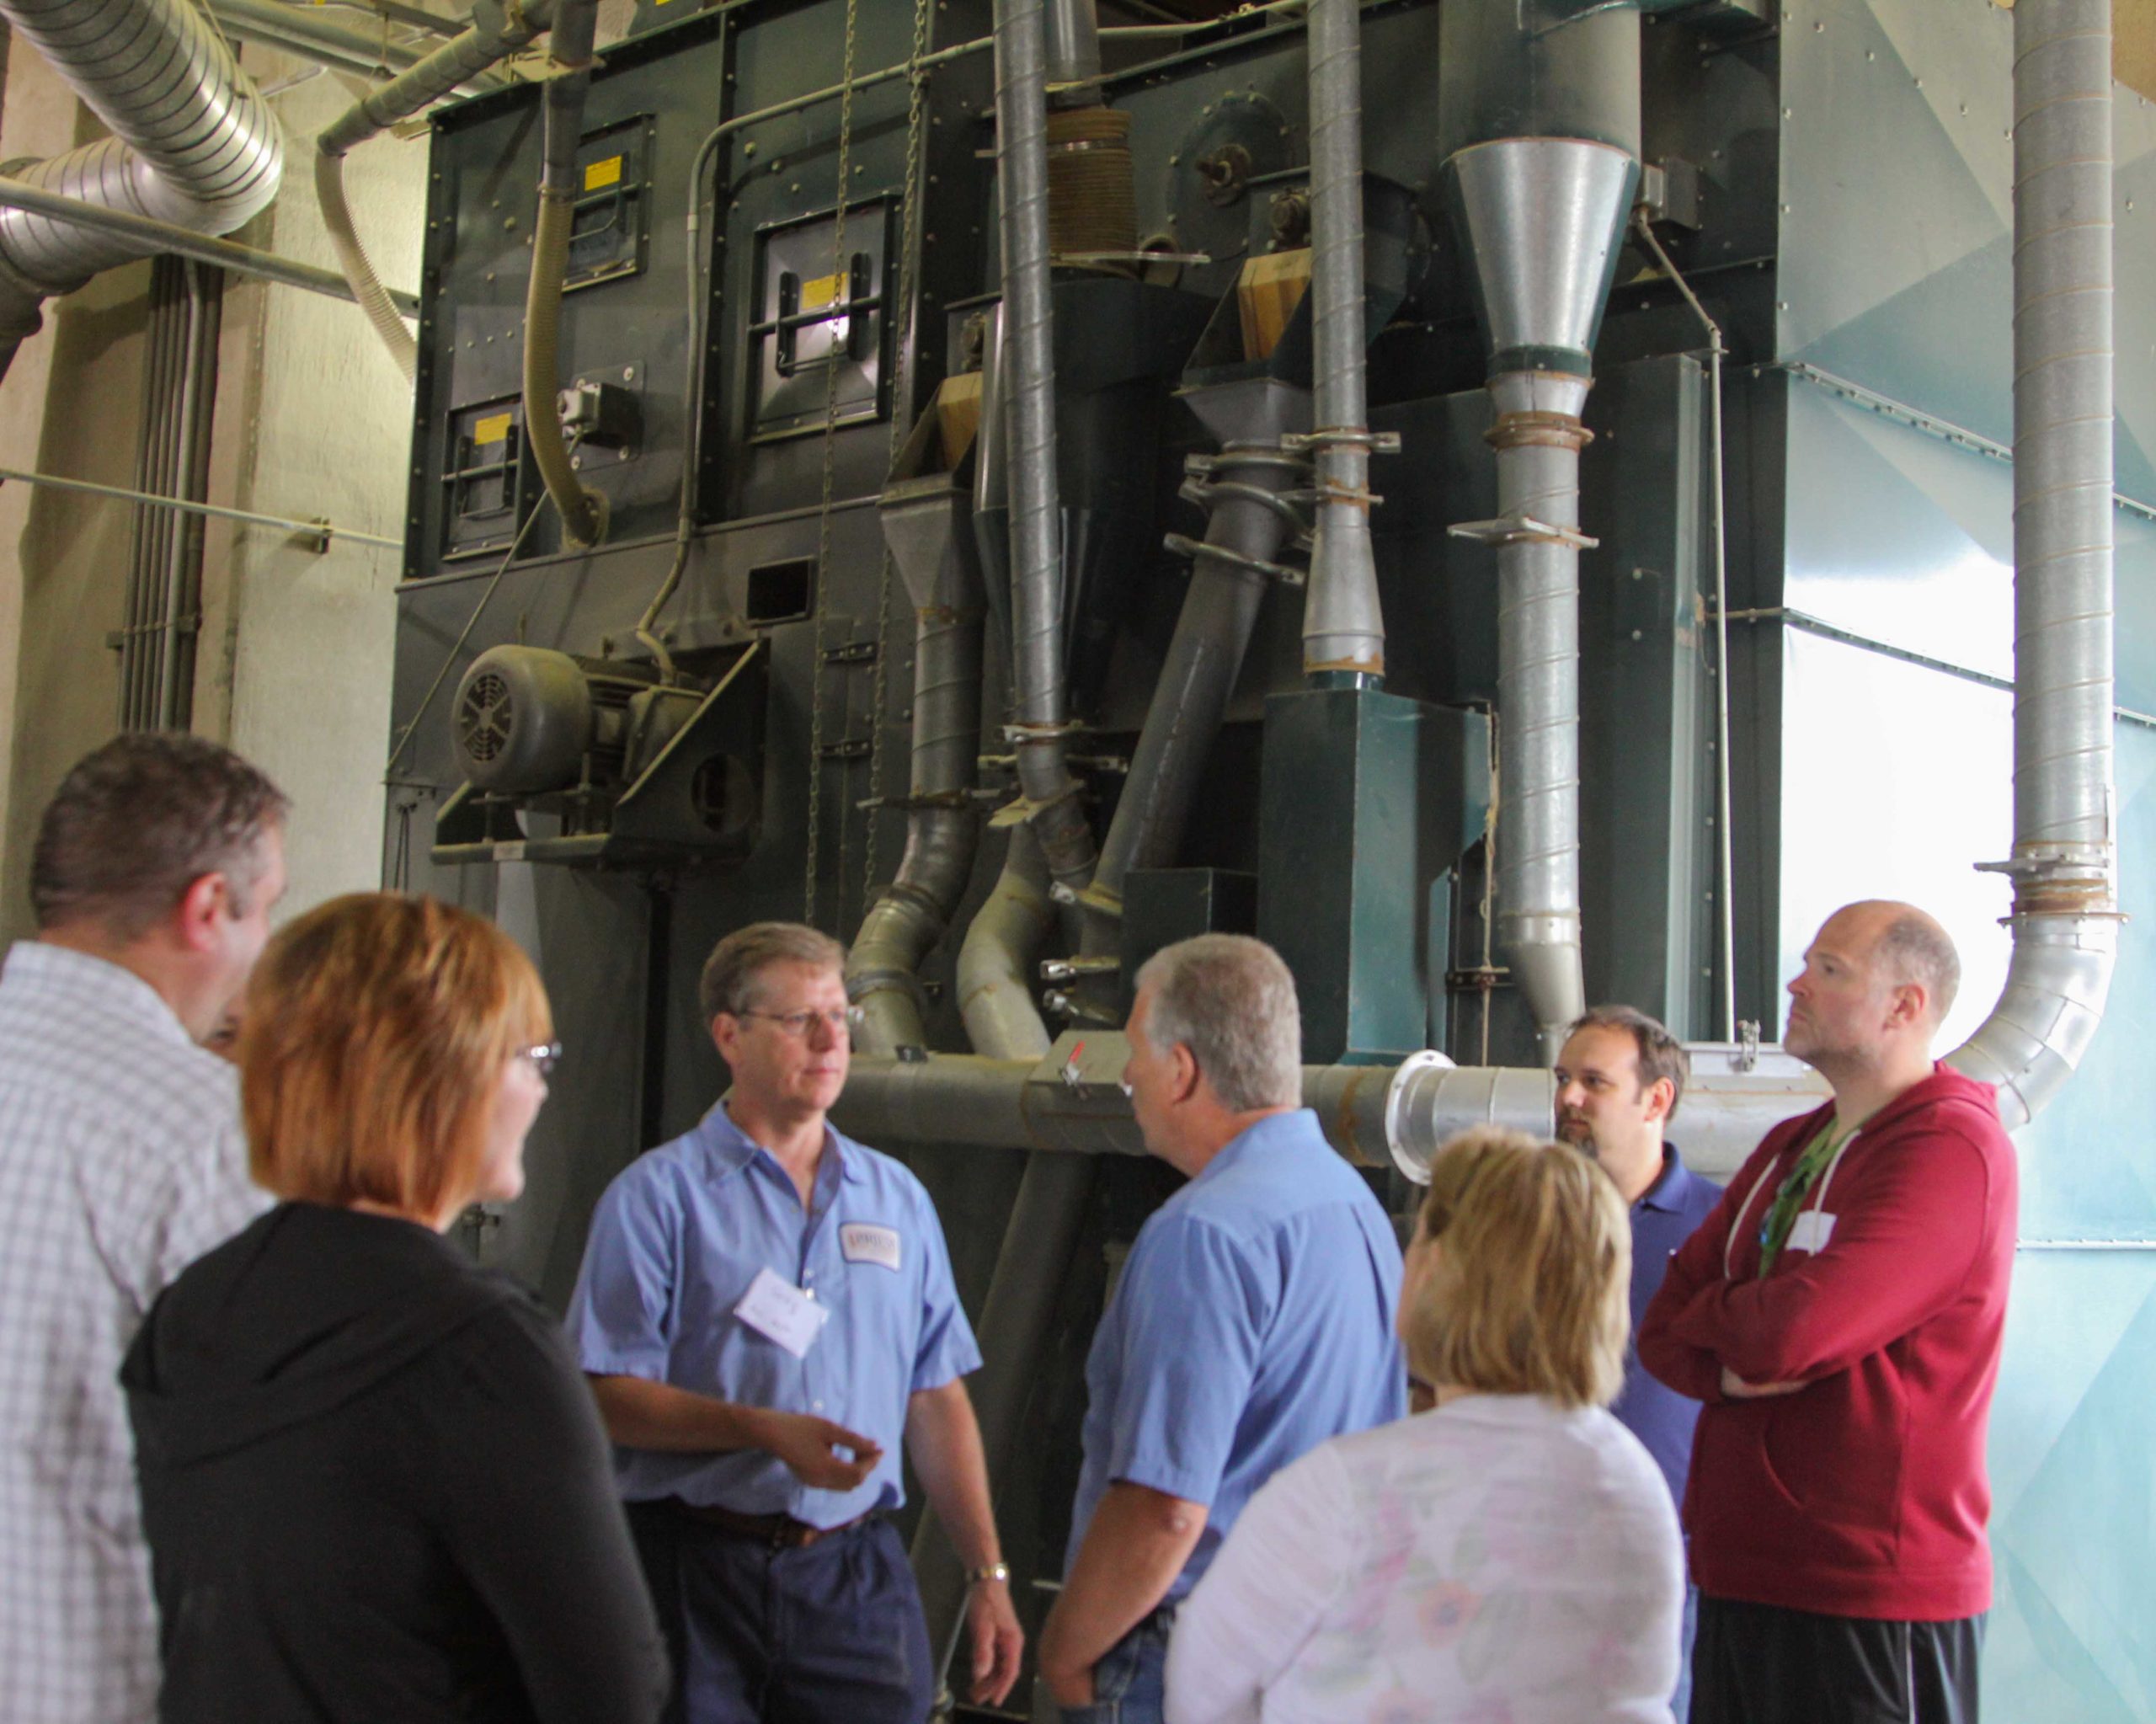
376 1488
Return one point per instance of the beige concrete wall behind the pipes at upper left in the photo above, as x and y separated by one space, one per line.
312 421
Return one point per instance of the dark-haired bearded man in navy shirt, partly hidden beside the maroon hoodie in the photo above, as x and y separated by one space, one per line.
1620 1079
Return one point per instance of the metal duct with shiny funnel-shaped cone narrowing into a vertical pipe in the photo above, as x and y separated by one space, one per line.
1543 158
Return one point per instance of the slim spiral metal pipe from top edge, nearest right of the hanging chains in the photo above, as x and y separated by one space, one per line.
1040 729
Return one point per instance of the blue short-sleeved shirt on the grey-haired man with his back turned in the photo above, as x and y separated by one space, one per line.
1252 1324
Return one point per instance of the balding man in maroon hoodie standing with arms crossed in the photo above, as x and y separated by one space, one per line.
1840 1316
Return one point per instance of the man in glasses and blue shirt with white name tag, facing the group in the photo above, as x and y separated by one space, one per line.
764 1311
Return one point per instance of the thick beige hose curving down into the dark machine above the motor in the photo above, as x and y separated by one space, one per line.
570 59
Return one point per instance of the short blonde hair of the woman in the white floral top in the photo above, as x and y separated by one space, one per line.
1528 1288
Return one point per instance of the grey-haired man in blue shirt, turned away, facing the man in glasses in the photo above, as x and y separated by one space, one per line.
1254 1318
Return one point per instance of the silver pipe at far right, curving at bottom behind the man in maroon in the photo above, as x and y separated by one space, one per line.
2067 923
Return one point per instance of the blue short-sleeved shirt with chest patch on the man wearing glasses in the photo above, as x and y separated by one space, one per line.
676 1245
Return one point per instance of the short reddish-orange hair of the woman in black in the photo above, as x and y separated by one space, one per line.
372 1044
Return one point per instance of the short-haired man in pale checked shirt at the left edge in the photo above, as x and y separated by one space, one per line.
122 1160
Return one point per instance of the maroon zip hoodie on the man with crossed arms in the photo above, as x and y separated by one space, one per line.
1862 1494
